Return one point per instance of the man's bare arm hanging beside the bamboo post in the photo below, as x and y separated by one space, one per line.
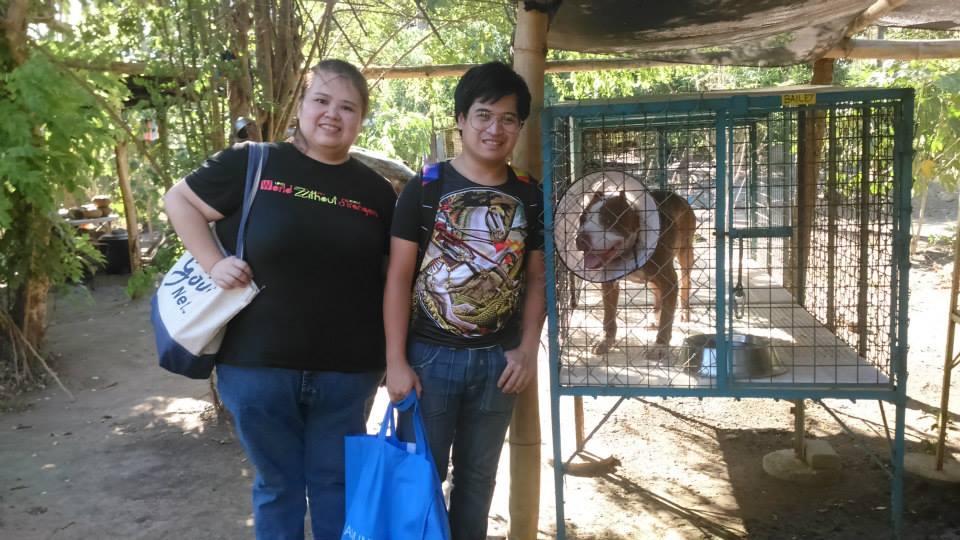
522 361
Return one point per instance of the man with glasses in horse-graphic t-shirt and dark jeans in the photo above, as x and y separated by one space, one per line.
472 268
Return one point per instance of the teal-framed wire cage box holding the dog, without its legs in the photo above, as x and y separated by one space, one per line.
797 279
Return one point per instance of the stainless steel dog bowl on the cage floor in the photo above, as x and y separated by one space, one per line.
750 357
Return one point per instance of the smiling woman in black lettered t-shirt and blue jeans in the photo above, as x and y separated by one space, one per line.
298 365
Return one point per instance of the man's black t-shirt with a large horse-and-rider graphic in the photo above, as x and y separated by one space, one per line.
469 287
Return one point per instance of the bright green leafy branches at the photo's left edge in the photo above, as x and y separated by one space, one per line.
53 135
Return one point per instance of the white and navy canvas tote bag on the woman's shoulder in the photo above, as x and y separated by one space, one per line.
189 311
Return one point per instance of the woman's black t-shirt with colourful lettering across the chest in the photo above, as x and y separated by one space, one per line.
316 238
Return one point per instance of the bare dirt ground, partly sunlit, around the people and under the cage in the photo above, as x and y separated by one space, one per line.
140 454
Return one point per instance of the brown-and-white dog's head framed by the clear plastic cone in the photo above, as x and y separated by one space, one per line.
609 227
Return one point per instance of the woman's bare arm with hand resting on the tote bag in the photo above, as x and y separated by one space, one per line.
191 218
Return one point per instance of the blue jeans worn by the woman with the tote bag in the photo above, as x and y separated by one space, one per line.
291 424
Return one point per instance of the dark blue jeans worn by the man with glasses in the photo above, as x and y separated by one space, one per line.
464 409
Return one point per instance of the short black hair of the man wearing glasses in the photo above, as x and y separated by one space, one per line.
488 83
